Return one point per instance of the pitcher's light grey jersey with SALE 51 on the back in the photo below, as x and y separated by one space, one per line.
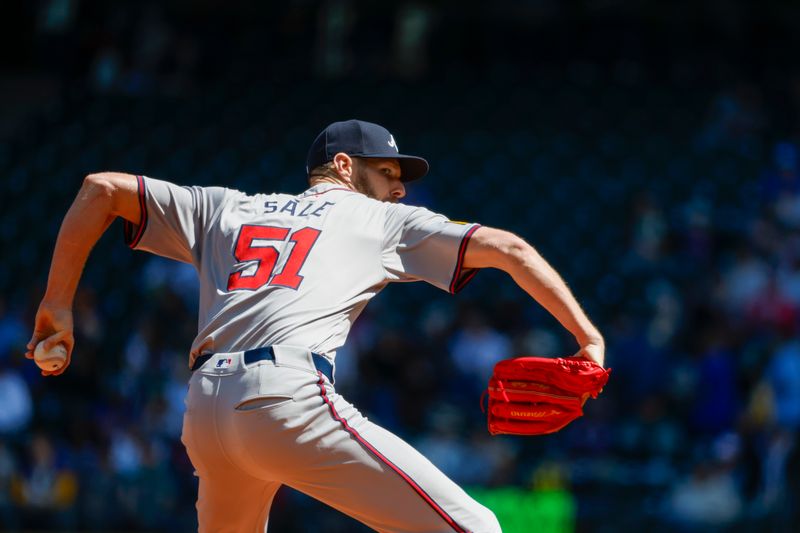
293 270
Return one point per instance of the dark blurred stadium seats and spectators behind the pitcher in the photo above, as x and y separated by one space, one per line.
648 149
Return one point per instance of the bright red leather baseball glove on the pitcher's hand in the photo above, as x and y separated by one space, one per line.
539 395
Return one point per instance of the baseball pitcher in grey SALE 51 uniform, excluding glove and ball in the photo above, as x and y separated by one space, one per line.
282 278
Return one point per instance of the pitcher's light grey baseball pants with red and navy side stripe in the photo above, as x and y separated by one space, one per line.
249 430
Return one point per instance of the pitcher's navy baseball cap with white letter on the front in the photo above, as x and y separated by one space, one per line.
357 138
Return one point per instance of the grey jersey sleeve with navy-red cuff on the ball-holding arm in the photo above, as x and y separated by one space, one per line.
174 218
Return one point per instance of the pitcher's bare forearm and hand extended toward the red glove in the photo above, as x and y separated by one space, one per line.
489 247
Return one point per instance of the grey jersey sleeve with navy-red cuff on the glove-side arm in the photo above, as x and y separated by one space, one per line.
422 245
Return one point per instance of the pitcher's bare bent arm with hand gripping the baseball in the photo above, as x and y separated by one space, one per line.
102 198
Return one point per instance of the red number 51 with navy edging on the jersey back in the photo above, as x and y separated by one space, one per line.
266 257
